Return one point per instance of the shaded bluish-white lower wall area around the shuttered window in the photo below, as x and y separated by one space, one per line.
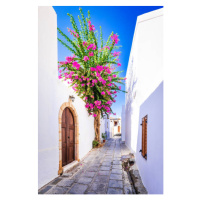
151 170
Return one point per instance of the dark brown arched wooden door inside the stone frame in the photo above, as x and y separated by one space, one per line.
68 138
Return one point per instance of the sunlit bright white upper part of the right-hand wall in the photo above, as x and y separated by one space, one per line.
145 69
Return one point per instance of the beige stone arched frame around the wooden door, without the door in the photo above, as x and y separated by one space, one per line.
76 127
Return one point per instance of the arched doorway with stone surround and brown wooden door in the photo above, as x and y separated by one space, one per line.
73 116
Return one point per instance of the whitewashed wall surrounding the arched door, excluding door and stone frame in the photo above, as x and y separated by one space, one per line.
52 94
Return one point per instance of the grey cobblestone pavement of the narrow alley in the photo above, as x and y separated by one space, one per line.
100 172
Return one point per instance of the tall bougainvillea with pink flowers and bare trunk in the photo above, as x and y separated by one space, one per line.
91 69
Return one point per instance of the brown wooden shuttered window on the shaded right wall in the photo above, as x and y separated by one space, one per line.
144 137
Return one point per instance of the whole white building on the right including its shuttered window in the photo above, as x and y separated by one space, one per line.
145 98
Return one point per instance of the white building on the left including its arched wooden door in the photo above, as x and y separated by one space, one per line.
56 109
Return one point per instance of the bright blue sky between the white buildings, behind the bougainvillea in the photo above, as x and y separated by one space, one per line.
119 19
